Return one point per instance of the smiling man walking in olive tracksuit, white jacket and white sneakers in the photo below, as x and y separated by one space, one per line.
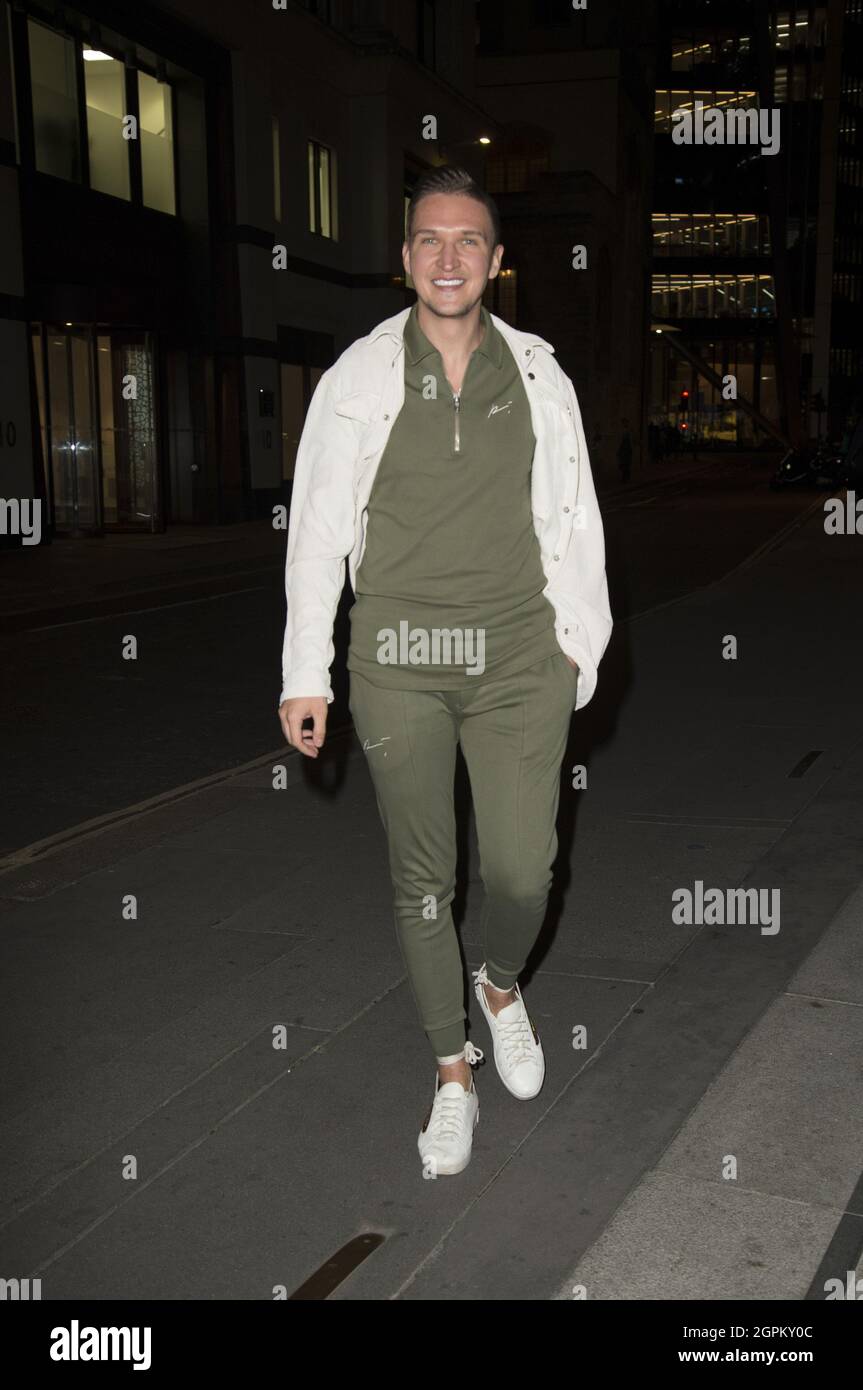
444 457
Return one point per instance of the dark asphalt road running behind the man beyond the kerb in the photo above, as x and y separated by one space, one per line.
90 733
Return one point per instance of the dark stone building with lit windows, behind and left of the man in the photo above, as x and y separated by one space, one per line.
204 206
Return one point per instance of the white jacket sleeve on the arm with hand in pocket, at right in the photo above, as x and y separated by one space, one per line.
582 587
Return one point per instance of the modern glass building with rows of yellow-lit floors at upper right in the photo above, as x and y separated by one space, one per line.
758 256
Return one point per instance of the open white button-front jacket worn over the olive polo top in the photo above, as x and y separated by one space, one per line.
352 412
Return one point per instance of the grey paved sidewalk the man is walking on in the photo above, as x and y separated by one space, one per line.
263 915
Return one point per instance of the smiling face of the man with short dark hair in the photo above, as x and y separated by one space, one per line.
451 258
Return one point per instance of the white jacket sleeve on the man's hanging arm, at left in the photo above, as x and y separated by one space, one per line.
320 537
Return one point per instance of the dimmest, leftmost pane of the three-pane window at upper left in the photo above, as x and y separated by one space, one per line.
55 102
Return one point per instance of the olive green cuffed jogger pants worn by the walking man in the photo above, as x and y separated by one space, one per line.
513 735
